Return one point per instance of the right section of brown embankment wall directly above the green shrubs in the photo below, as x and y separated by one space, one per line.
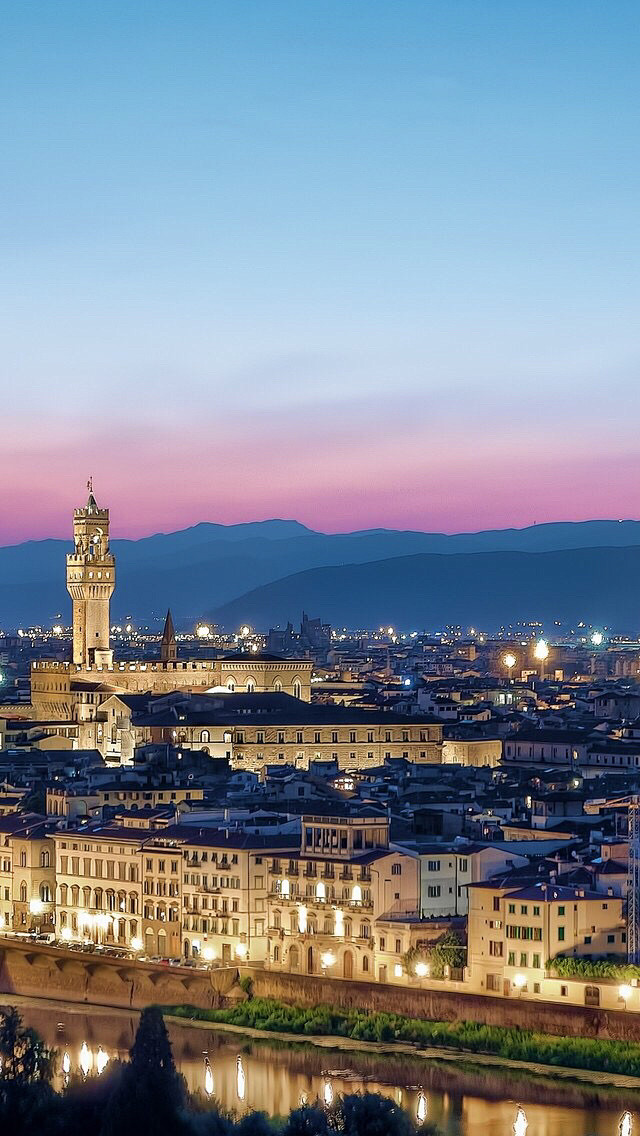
443 1005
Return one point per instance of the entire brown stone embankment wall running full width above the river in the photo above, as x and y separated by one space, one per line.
43 972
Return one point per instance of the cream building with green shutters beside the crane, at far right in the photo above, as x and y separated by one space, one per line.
514 932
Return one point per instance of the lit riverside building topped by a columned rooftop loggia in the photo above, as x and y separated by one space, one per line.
325 899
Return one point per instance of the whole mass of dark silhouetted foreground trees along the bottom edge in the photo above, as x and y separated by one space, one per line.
147 1097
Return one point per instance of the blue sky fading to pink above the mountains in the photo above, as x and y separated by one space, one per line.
348 262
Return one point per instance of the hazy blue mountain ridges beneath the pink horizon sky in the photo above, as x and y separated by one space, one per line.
209 566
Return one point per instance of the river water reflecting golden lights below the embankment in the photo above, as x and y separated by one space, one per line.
244 1075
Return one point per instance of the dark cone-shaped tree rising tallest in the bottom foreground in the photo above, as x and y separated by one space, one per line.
152 1096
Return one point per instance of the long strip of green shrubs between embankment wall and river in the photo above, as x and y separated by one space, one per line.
622 1058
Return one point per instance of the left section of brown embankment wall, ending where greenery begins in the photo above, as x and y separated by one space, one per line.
41 972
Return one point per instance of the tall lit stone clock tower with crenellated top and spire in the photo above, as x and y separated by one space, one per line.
92 580
